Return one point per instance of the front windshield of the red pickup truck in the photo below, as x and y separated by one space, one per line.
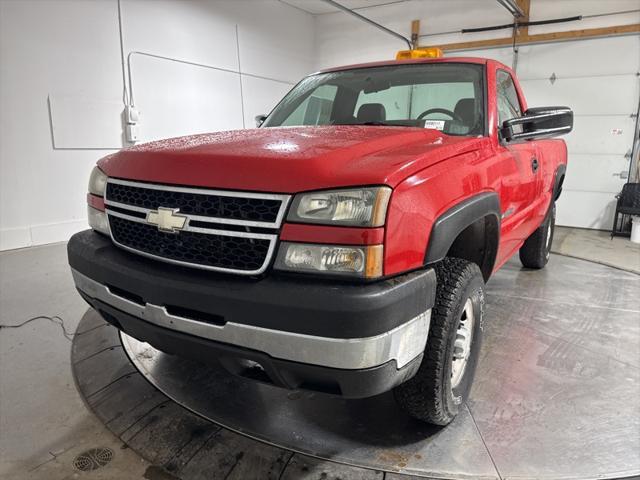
445 96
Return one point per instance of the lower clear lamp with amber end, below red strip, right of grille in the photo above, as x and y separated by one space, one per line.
365 262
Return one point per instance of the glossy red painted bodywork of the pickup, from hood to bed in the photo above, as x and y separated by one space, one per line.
429 171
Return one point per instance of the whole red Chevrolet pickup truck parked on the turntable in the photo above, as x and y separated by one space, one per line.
343 246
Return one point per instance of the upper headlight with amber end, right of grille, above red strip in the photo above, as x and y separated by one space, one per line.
358 207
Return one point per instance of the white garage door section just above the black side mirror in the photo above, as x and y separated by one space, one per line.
606 94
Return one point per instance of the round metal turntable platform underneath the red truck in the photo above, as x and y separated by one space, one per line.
555 396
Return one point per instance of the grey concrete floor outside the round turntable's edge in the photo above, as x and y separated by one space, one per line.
44 423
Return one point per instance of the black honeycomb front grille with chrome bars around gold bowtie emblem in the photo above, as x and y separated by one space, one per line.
225 231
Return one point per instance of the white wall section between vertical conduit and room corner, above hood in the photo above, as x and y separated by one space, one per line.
271 47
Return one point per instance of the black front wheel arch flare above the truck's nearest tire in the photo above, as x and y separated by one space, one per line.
468 230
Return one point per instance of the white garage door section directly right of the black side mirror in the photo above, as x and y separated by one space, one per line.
601 134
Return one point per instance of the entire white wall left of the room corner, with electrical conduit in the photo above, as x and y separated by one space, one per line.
68 51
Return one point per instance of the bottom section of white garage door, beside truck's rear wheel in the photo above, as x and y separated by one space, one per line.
595 210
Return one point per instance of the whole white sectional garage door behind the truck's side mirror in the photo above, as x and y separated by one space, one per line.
598 79
